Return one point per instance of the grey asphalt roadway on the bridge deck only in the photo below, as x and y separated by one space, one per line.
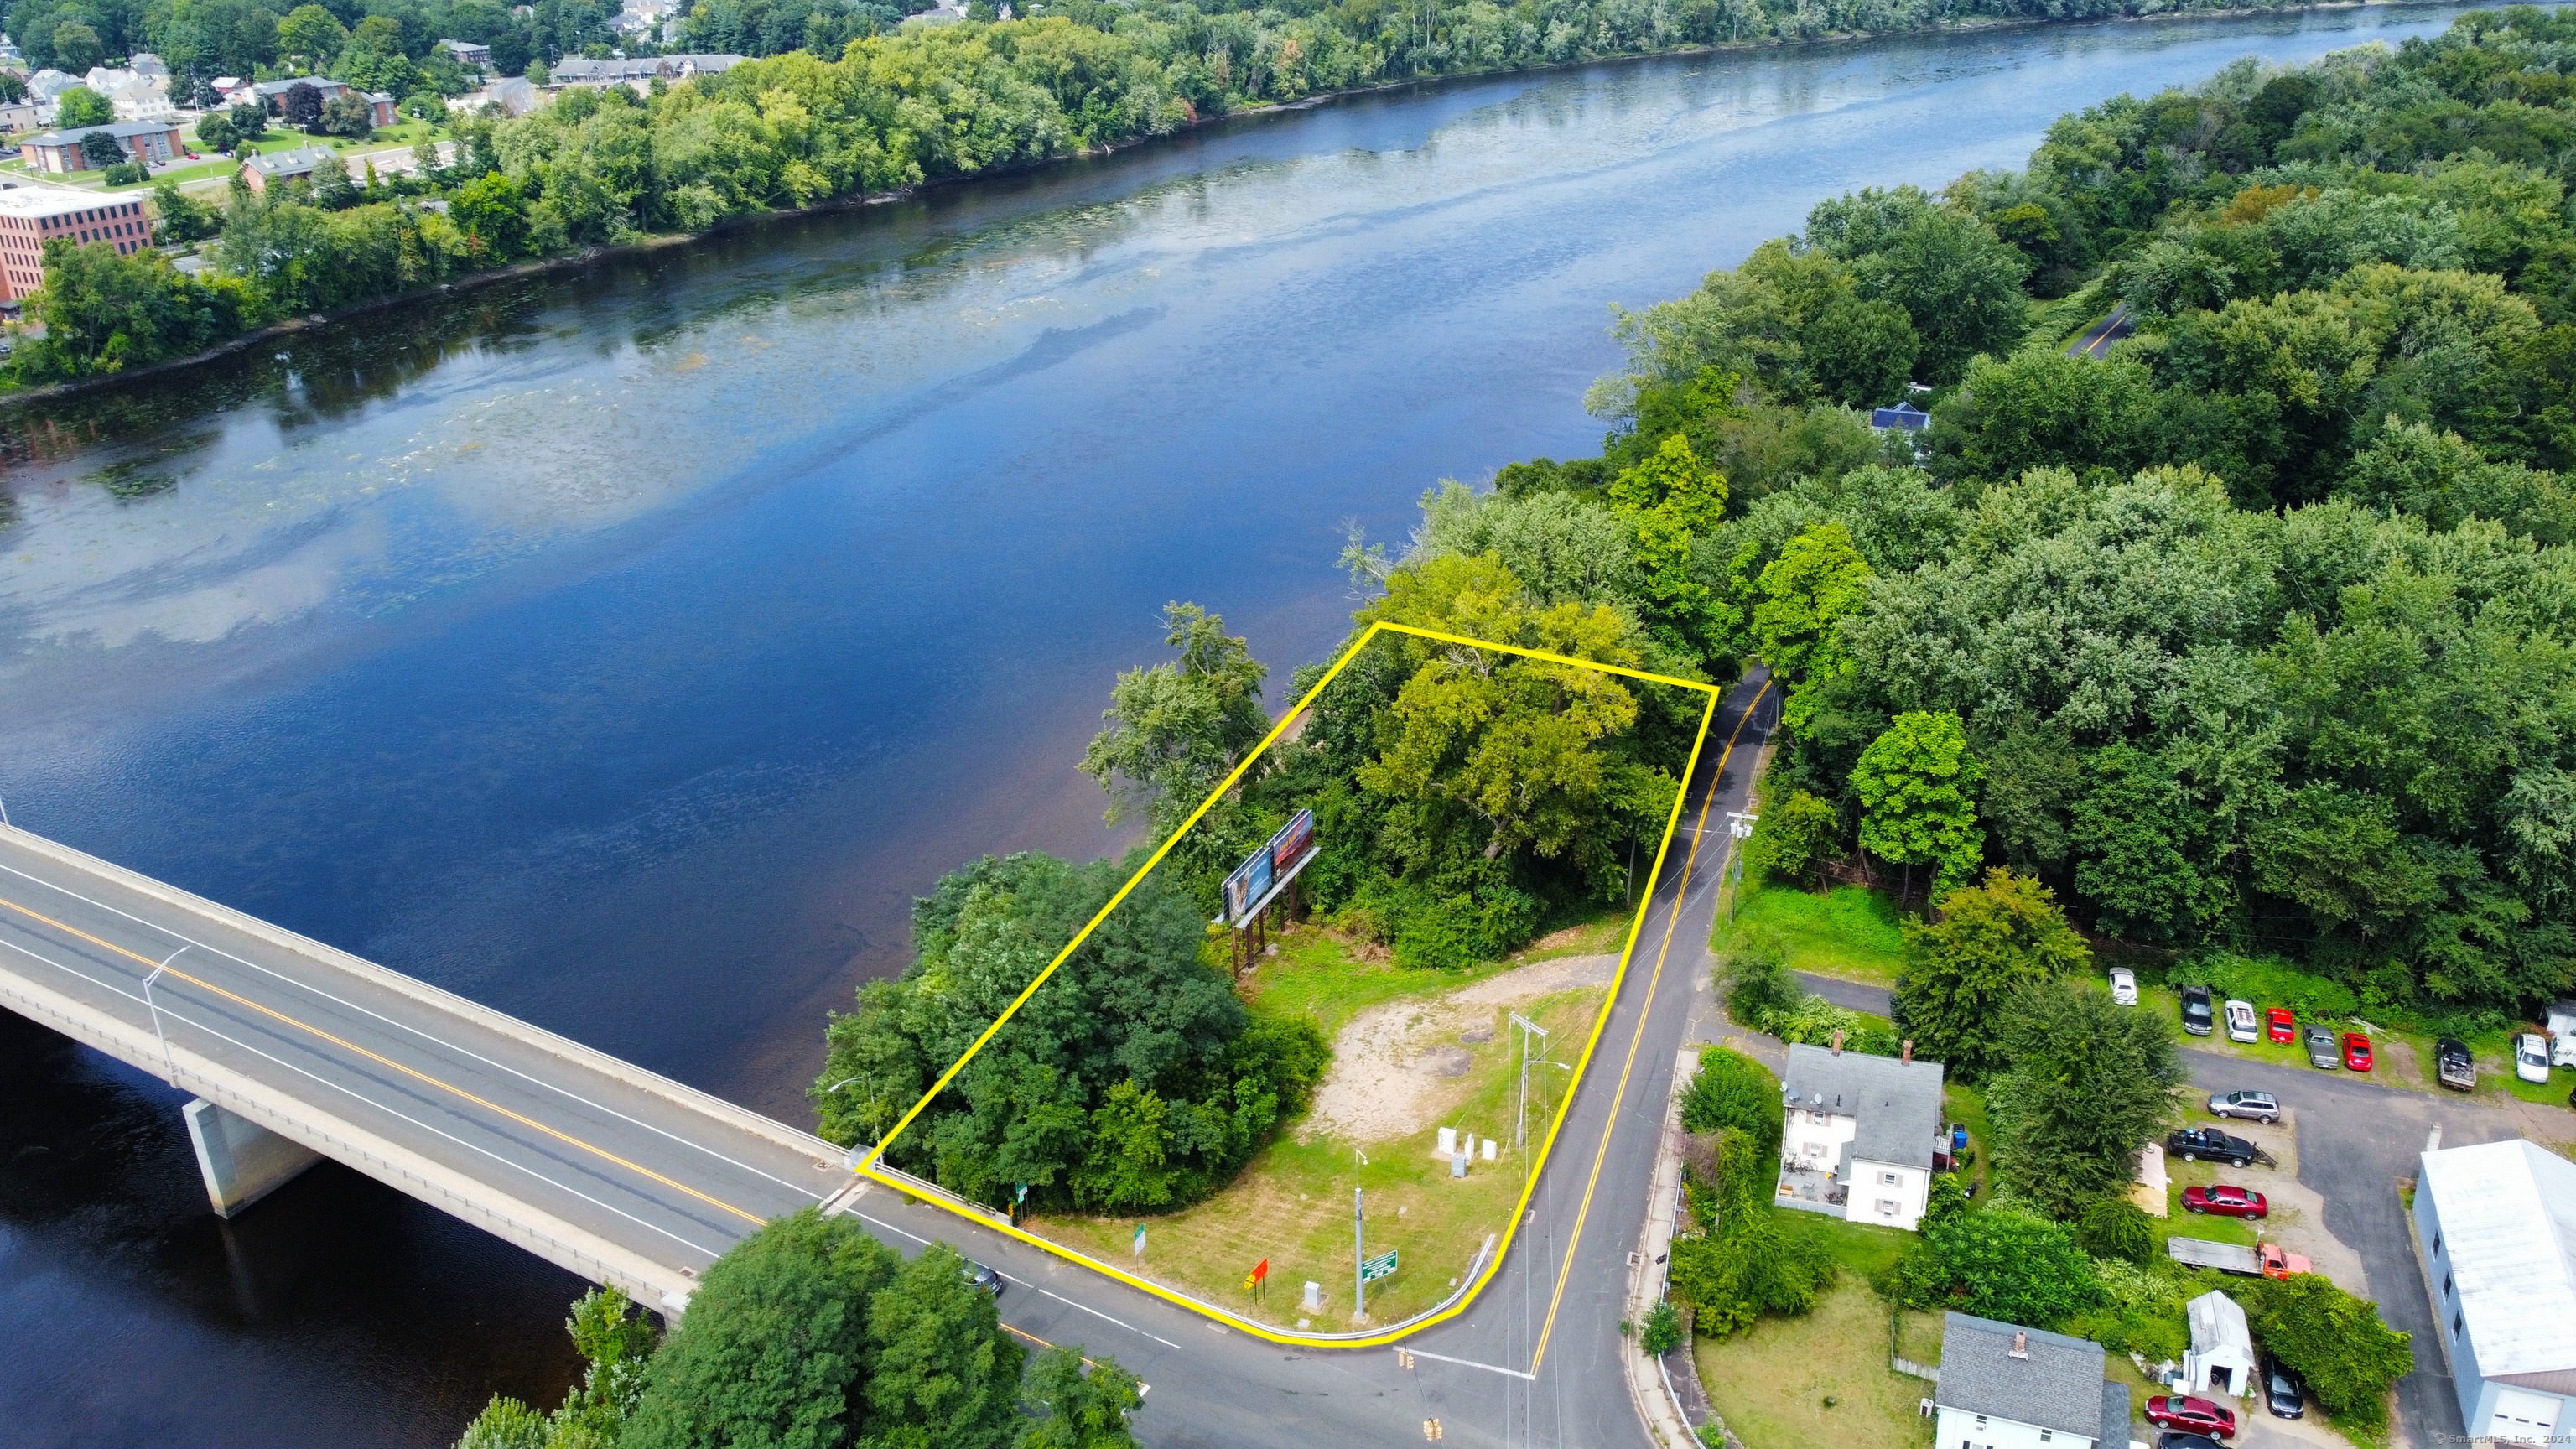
640 1169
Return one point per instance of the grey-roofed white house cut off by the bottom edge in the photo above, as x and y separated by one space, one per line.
2021 1388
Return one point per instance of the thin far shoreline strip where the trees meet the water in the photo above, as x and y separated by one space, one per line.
663 241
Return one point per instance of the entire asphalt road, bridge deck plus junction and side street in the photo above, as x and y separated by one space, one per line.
1531 1363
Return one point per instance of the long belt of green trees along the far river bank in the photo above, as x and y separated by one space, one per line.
849 102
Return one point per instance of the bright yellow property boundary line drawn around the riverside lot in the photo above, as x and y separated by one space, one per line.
1459 1303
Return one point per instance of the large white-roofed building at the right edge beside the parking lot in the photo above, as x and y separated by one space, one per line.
2497 1226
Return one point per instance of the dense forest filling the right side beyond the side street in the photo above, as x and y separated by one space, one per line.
2248 633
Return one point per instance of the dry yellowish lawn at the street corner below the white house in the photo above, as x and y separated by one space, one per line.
1823 1378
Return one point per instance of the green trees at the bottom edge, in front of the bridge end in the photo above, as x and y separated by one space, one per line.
815 1334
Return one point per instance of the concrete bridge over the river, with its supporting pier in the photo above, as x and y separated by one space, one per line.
298 1053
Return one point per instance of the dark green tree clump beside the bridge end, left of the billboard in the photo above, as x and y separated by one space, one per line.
1132 1082
